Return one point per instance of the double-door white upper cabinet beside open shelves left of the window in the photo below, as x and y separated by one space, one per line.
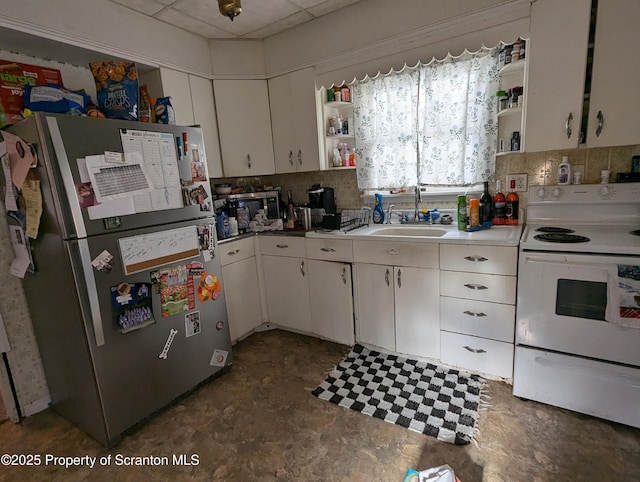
294 121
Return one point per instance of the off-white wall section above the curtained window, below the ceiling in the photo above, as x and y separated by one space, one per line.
374 35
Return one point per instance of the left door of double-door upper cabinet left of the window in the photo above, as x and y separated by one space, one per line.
282 123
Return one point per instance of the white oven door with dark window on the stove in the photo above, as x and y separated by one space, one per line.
568 303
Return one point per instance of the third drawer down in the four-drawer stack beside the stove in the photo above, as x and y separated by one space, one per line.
478 318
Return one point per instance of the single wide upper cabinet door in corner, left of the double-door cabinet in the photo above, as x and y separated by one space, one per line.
244 123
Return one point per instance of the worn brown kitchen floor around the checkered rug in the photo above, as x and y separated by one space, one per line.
259 422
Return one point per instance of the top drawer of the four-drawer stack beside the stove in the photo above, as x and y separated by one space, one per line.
479 259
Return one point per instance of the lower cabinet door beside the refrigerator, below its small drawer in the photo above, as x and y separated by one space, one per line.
242 296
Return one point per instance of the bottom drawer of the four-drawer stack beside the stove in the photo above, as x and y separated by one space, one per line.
477 354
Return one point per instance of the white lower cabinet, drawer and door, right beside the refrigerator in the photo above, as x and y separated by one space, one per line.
242 293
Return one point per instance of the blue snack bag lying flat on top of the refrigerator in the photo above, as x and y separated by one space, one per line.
55 98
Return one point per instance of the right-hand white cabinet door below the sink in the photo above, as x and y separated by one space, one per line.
417 310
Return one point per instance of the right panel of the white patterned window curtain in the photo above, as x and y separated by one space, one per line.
457 125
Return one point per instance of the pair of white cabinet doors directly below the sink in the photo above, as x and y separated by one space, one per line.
398 309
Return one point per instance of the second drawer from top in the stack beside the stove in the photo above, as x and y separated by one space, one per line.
481 287
